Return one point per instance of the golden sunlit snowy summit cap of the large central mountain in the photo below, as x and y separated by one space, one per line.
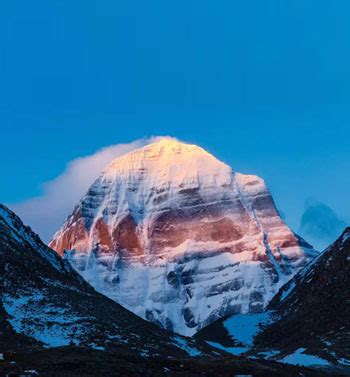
169 162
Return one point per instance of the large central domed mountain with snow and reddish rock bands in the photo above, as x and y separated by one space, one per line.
180 239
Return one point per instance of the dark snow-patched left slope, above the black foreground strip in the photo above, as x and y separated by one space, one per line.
45 303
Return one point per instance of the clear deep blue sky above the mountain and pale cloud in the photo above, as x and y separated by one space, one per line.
263 85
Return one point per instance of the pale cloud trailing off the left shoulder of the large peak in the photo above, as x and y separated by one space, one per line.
45 214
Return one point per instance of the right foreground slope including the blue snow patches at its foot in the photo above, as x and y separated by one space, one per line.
306 323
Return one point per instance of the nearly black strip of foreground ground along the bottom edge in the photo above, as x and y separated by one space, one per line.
82 362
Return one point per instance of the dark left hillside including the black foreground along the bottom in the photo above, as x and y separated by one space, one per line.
45 304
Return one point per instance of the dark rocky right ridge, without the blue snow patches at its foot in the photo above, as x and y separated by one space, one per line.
313 310
